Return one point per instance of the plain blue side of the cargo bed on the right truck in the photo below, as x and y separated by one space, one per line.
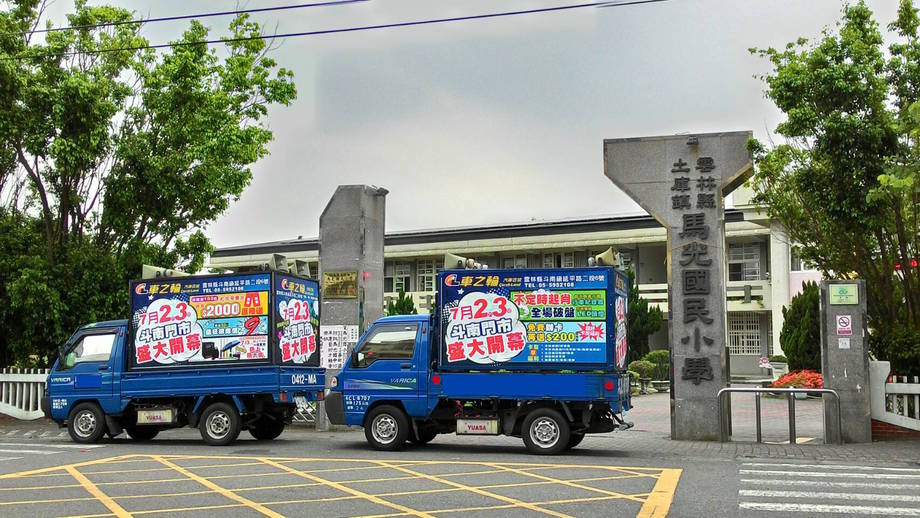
531 386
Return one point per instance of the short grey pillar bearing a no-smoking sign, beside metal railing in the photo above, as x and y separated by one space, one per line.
845 359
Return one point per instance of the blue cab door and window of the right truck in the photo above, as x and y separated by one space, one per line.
385 367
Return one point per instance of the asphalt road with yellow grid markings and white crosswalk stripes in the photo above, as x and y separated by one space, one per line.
328 474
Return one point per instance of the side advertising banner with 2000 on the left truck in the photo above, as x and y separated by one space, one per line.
200 320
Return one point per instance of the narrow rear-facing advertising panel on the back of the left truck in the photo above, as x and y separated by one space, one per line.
296 320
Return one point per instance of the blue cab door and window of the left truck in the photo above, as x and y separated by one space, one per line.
86 369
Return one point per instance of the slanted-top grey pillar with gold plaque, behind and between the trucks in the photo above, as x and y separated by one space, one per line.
351 230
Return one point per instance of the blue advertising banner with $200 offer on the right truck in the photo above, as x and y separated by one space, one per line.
529 319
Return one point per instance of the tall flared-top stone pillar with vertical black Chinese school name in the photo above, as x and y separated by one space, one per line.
681 180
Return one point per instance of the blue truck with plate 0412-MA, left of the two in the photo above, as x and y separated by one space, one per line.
223 353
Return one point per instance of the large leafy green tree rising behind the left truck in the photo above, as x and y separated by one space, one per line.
113 155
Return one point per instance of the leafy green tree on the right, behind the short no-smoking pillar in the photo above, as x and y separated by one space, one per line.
844 181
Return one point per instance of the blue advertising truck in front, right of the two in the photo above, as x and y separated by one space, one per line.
536 354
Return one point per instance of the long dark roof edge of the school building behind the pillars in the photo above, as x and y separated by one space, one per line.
542 228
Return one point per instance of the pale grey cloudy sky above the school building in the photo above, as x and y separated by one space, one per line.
492 121
